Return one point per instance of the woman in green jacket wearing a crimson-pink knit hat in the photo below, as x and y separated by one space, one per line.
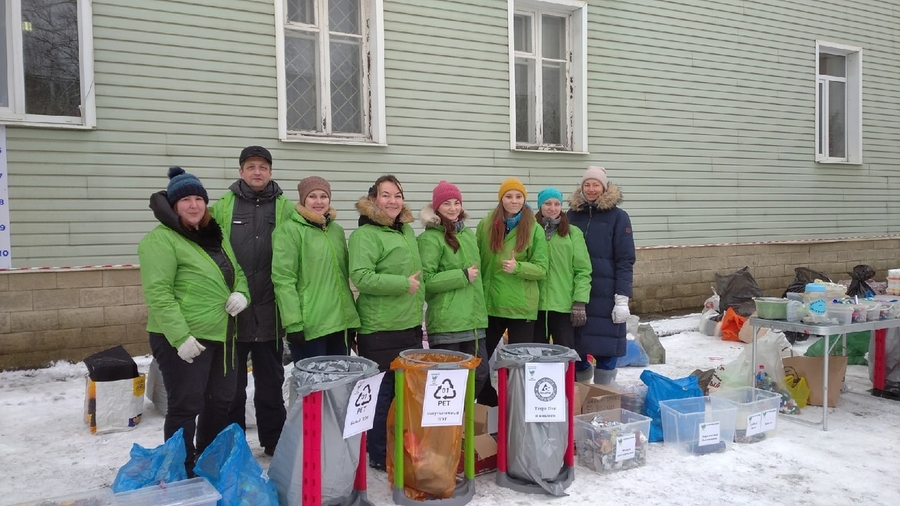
455 318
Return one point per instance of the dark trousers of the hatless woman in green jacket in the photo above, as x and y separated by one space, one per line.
383 348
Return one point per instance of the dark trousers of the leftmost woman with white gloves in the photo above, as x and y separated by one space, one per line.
198 394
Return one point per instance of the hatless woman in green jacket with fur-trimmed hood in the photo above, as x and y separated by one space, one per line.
385 268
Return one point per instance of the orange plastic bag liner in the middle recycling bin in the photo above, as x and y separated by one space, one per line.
430 454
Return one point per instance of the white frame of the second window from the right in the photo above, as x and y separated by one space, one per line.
576 11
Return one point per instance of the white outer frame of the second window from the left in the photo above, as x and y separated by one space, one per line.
373 53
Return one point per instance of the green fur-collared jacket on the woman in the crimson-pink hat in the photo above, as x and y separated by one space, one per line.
454 304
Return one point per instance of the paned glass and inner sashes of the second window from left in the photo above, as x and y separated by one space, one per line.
325 74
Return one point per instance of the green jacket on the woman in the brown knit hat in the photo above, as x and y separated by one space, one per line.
310 273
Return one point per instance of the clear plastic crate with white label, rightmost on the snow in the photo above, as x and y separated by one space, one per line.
757 412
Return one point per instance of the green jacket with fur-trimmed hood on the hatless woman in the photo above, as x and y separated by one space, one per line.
383 255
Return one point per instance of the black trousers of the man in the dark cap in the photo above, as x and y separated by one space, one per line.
268 397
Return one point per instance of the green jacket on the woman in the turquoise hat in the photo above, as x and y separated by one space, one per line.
569 275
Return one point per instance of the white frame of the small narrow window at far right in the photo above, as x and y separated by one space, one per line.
853 106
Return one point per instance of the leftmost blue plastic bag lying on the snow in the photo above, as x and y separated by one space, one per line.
163 464
